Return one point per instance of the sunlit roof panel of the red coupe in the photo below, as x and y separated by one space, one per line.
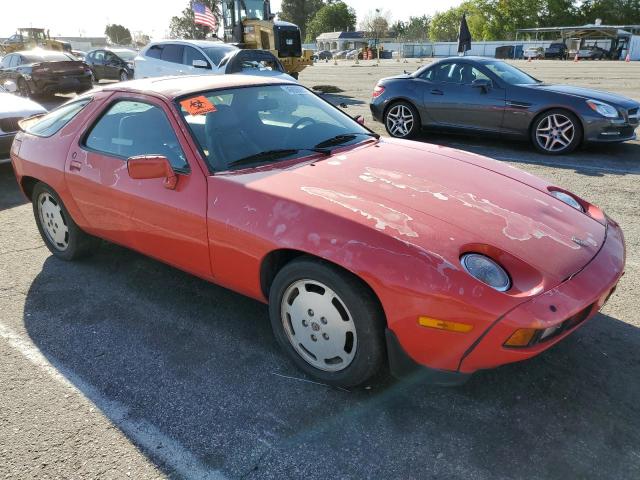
177 86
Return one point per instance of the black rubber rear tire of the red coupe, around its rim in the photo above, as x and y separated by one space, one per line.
78 243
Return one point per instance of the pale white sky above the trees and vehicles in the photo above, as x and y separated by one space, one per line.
89 17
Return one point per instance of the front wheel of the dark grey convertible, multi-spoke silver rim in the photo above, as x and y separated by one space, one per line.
556 132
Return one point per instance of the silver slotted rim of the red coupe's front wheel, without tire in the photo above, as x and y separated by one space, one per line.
318 325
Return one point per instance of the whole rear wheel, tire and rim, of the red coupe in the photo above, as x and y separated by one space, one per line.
58 230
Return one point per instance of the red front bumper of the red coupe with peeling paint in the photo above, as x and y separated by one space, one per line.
568 305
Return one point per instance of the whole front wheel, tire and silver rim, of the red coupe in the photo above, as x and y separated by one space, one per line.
328 322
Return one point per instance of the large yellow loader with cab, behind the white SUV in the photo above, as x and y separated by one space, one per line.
250 24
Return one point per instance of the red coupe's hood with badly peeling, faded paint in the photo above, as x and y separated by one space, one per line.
402 187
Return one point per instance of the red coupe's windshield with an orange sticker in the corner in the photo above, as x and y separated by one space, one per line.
251 126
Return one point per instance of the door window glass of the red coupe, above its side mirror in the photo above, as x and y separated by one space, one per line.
130 128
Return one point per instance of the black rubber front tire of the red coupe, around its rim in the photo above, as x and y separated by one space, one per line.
359 304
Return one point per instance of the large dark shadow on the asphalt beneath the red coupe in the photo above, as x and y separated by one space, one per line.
199 364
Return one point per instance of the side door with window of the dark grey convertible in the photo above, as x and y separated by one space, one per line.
451 99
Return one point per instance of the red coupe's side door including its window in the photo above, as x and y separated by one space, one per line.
167 224
